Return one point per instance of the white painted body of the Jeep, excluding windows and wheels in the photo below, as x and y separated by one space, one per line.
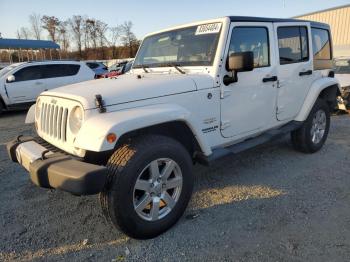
238 111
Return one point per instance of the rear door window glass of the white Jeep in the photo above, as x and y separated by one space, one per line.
293 44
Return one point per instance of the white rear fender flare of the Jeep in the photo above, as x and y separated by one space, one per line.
314 92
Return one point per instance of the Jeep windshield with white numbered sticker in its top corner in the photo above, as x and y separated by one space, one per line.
191 46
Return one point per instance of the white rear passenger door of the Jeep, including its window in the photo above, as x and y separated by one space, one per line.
295 68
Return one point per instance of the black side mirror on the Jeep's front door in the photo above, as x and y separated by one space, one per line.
238 62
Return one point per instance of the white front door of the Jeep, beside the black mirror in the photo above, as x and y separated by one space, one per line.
249 104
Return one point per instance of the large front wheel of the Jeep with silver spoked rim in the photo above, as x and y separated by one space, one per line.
149 186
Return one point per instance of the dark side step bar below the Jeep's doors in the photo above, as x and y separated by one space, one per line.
249 143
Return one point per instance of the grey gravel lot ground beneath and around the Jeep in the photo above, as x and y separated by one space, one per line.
267 204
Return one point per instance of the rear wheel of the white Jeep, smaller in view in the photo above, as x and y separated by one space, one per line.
312 135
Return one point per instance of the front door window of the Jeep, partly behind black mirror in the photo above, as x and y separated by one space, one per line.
254 39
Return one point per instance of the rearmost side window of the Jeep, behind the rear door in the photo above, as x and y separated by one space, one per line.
321 44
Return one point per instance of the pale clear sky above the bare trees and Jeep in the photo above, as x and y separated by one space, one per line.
151 15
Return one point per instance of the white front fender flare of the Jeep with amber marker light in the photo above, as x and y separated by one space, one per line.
92 135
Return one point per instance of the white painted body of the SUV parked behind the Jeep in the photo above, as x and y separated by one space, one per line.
19 92
